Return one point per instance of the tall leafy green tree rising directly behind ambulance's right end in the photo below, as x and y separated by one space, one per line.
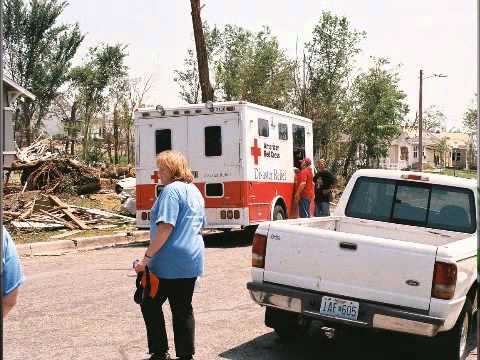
328 62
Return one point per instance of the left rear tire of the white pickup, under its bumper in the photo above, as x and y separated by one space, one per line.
287 325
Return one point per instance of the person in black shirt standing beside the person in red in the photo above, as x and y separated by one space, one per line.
324 181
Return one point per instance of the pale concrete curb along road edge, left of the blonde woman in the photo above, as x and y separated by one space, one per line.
85 243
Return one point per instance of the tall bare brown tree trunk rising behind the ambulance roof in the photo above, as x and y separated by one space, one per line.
202 56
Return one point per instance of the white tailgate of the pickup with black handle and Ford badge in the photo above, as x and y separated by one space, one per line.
348 265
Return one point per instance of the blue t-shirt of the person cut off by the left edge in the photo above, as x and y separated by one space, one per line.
12 270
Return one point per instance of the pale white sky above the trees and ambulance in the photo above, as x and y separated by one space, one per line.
438 36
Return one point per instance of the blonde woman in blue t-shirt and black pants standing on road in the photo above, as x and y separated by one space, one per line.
175 256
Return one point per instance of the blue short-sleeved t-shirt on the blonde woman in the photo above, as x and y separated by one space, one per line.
181 205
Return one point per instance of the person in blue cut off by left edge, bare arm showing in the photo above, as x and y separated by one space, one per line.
12 273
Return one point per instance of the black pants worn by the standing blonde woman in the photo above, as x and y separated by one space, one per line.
179 293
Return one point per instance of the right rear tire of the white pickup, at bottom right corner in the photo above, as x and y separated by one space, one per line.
453 344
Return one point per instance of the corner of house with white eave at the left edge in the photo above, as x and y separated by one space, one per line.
11 91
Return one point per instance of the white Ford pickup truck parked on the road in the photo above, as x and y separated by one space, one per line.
399 254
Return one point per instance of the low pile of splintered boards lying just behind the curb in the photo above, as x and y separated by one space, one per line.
35 210
